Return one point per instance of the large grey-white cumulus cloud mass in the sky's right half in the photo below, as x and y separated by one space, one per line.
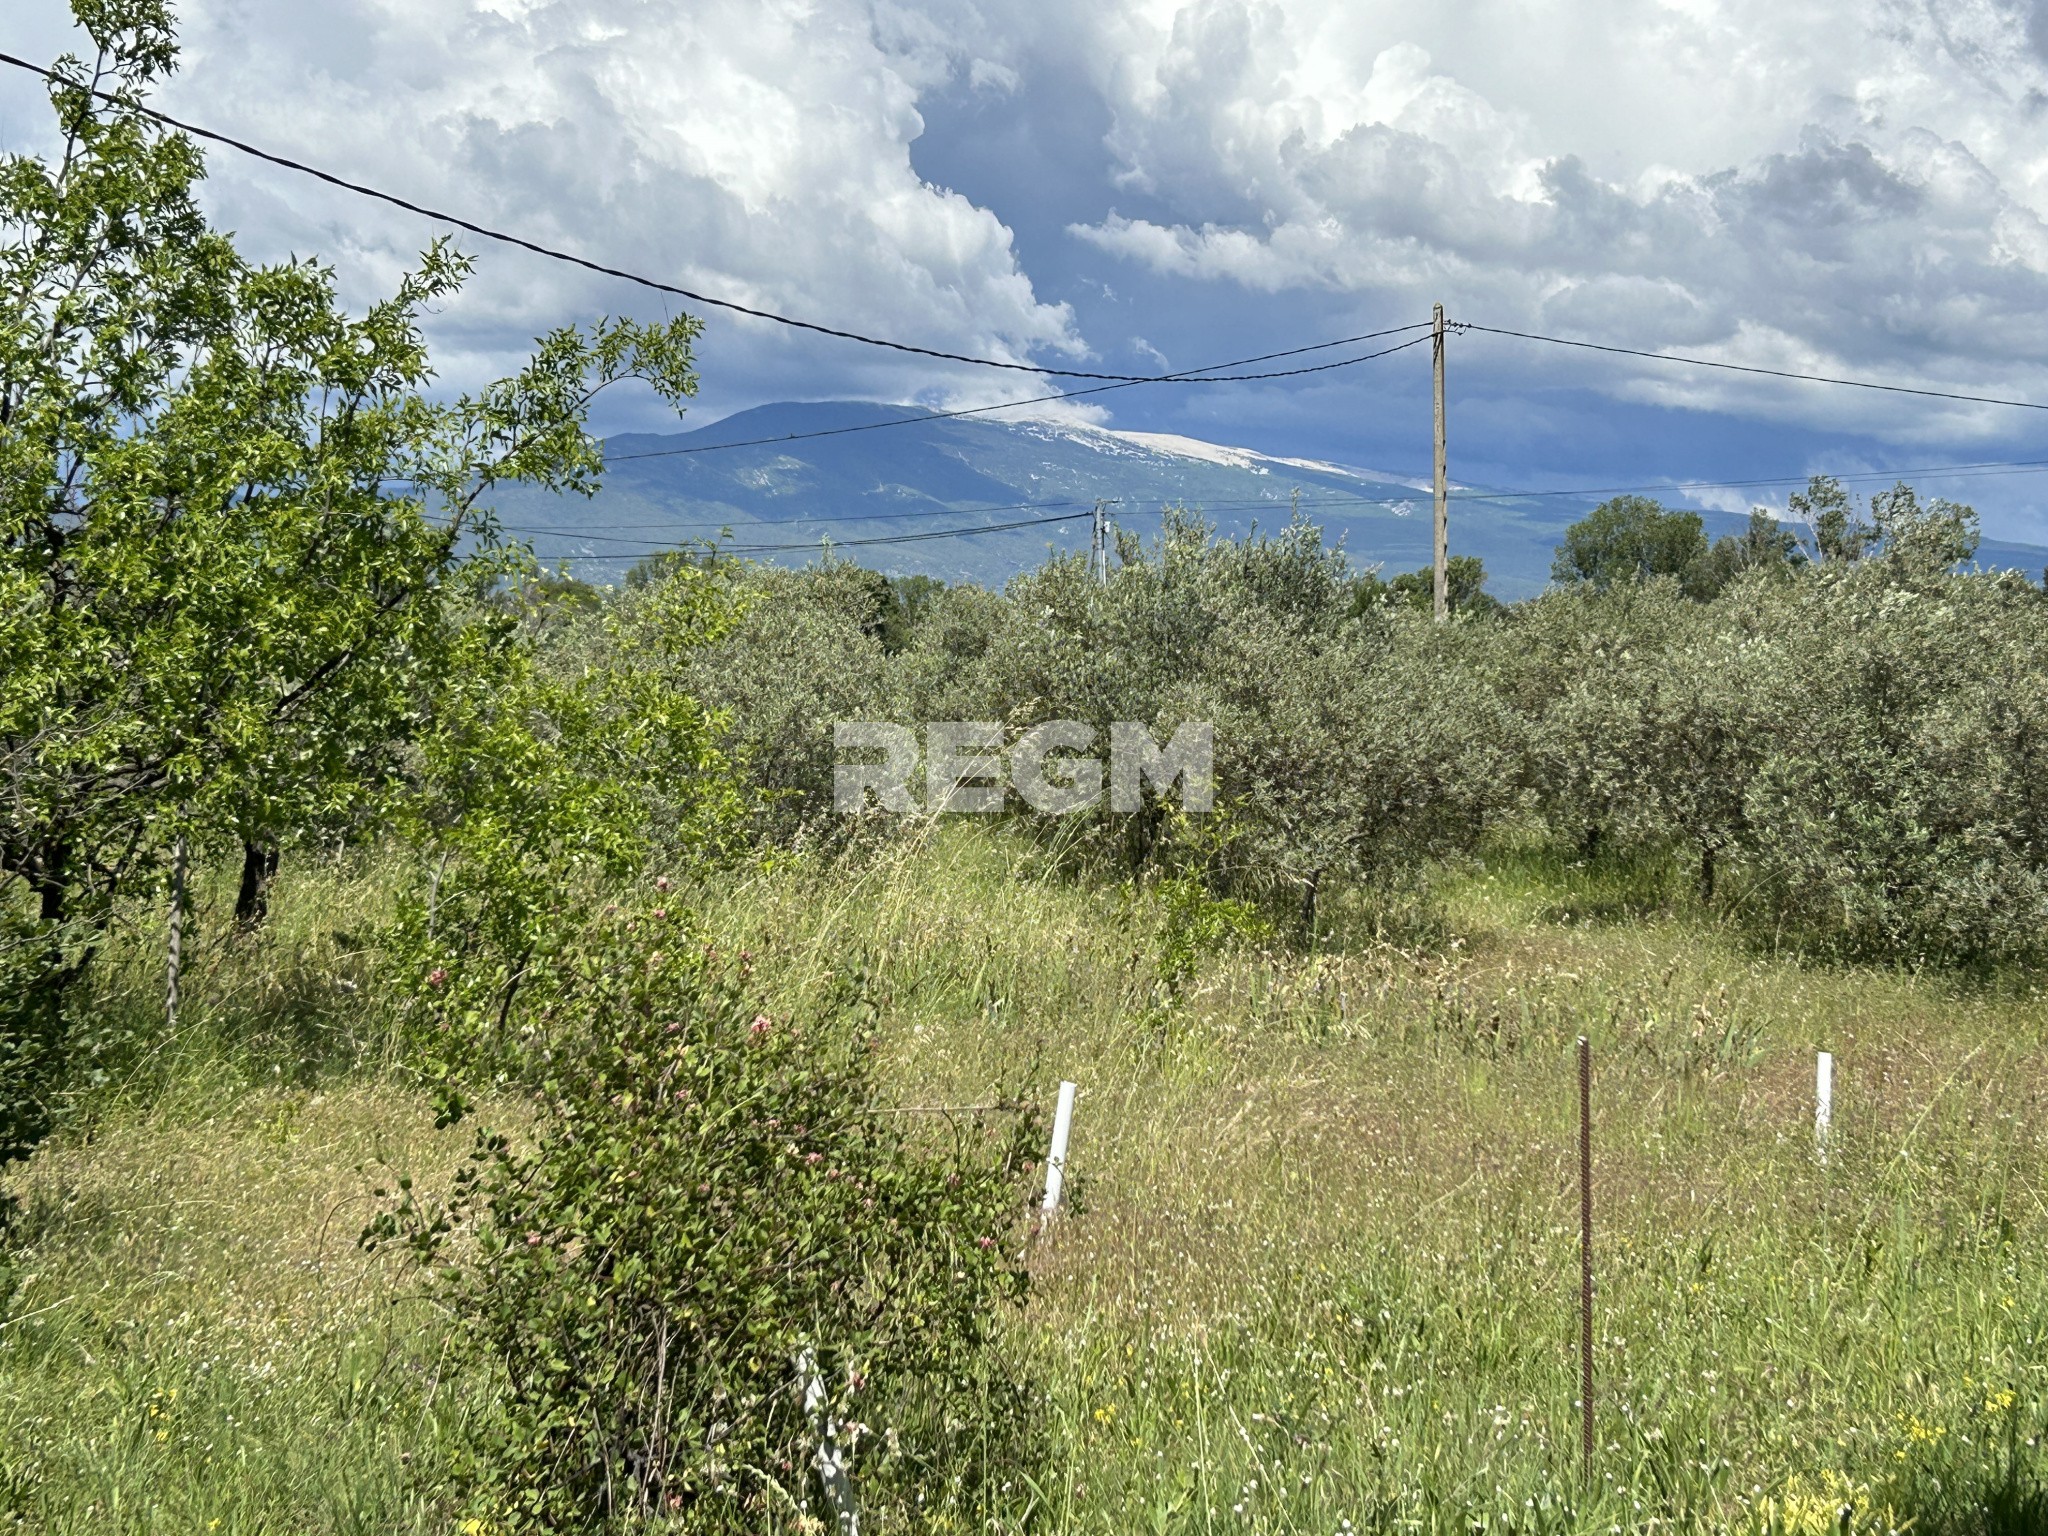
1791 187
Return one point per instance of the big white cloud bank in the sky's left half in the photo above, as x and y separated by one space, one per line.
746 148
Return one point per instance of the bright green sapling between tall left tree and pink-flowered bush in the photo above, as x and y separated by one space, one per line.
542 787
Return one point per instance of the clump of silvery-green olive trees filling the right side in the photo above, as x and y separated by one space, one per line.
1859 749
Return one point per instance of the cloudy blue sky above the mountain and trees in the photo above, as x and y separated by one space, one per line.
1148 185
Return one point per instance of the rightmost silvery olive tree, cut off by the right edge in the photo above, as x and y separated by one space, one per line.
1904 802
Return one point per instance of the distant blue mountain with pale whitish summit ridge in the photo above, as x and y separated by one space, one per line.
904 484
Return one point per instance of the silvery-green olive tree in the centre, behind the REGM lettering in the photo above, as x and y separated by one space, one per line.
1345 749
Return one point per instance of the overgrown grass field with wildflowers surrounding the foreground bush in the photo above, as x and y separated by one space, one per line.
1324 1273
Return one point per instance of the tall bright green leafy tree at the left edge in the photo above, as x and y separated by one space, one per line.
239 538
